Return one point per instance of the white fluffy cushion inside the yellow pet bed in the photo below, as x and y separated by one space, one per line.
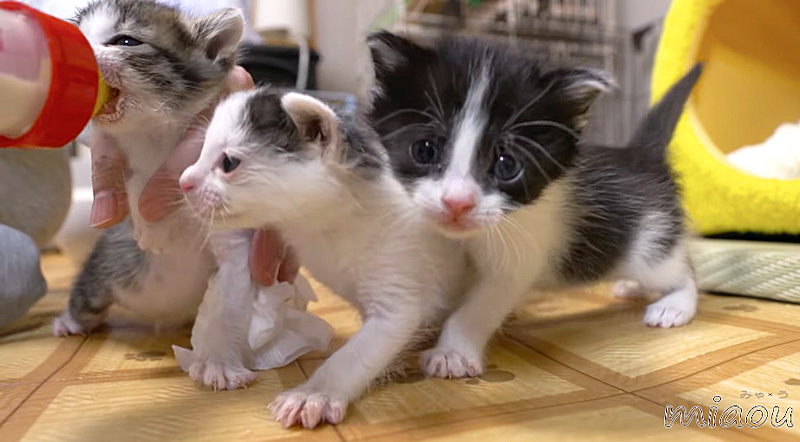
776 158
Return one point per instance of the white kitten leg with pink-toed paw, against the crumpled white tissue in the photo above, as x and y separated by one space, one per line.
219 337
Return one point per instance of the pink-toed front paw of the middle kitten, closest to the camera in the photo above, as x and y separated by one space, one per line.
308 409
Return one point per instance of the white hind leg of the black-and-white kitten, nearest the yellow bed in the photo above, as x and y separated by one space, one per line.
675 279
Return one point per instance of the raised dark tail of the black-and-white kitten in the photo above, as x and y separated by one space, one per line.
655 133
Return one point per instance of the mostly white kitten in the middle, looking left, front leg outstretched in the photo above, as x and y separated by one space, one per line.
289 162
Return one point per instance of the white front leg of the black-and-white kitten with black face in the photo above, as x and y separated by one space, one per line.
459 351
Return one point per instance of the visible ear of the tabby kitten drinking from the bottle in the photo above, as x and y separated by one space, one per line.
222 32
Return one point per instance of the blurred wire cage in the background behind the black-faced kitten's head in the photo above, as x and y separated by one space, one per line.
560 32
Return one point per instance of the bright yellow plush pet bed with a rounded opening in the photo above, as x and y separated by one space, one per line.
750 85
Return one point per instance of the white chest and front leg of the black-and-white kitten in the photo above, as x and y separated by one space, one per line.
510 260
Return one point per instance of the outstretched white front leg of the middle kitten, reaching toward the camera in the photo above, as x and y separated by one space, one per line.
386 332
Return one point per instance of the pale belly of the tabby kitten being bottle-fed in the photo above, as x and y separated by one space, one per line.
172 288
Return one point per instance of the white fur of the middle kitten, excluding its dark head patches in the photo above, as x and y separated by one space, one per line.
360 237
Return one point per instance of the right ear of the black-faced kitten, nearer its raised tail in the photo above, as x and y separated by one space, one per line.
580 88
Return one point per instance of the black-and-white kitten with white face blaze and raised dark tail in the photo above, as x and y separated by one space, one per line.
485 140
